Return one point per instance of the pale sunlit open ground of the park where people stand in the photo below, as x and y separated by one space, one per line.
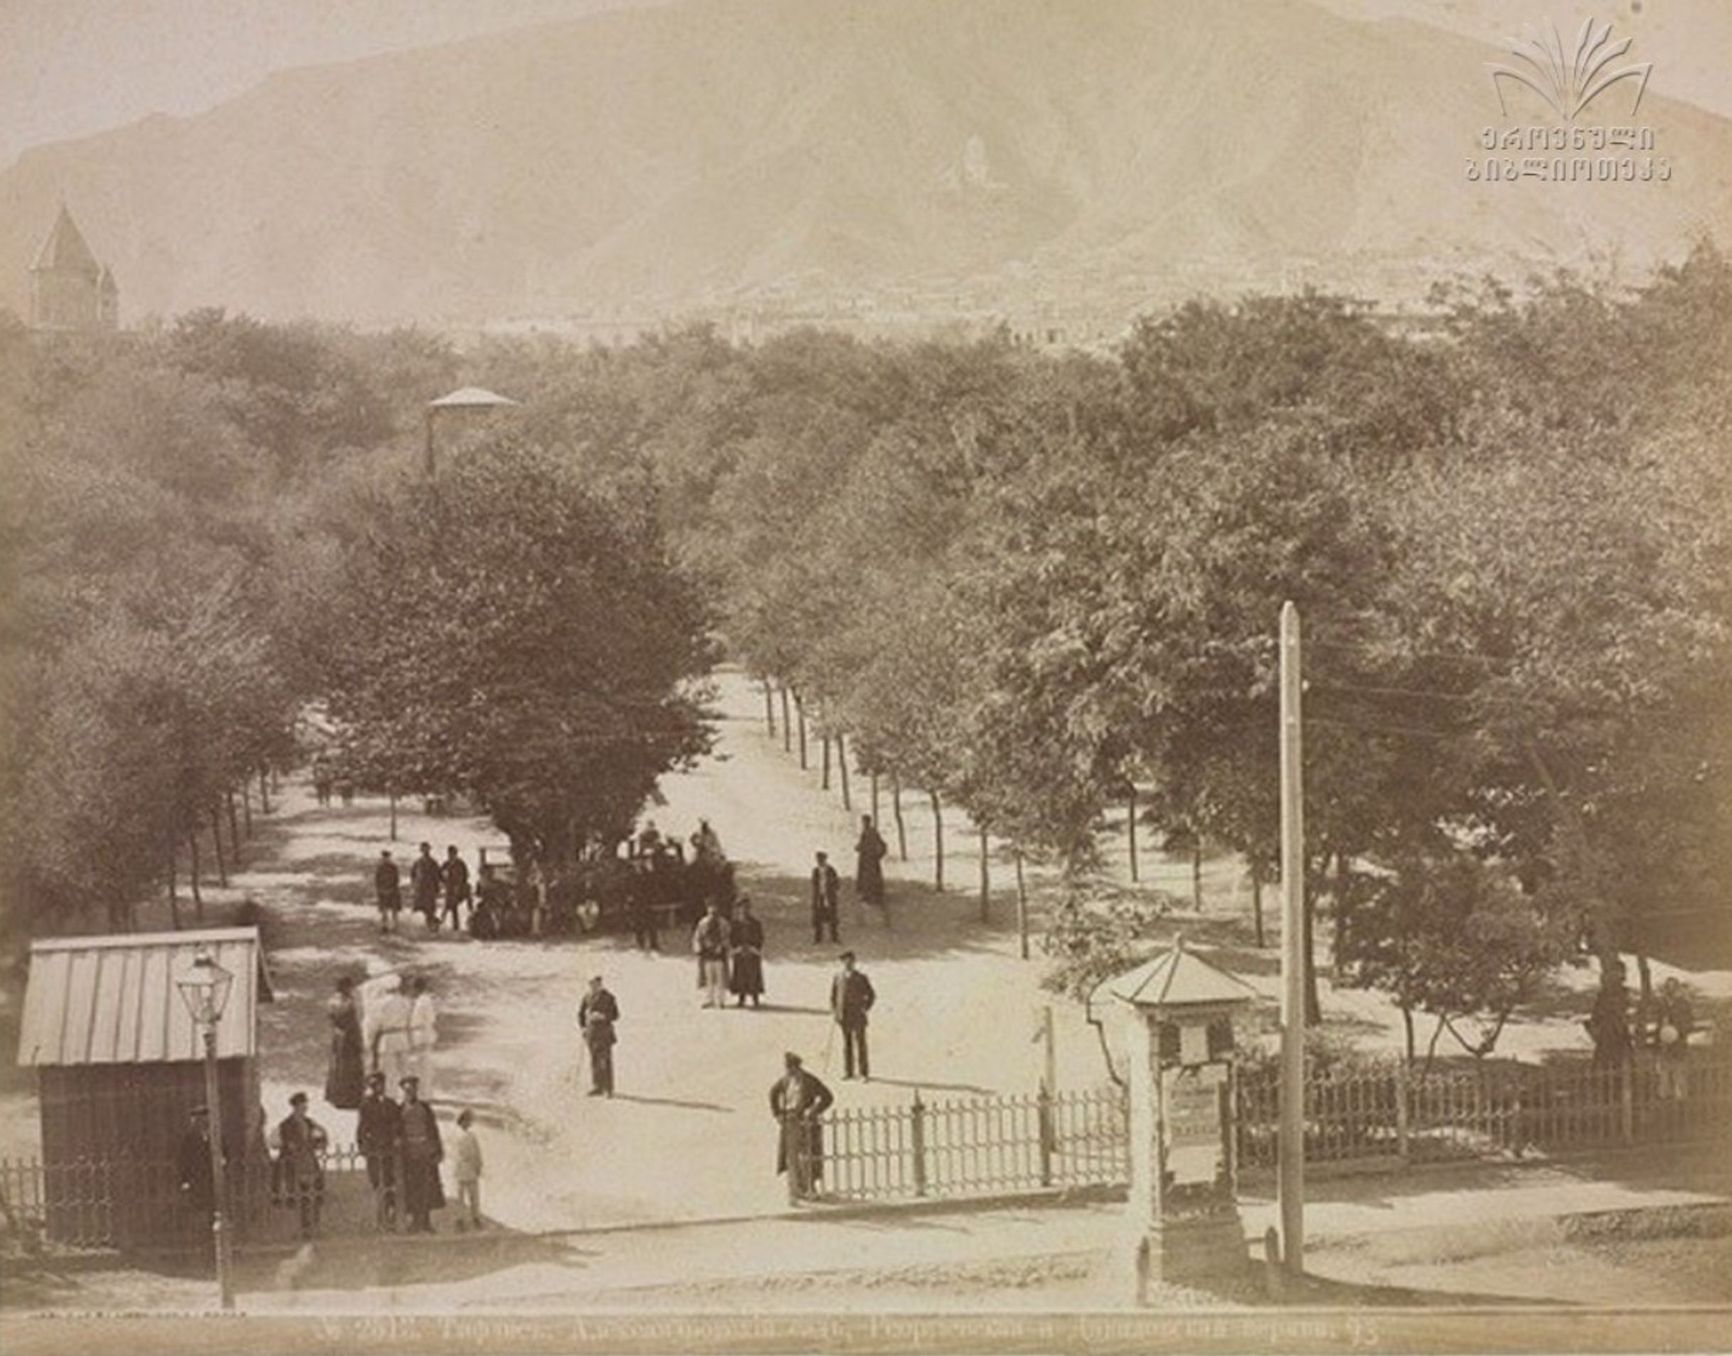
688 1133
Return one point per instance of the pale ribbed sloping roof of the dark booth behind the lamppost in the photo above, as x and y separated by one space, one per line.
113 998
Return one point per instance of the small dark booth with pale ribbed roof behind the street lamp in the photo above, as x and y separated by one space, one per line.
120 1066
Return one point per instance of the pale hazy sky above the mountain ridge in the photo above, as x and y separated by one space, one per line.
77 67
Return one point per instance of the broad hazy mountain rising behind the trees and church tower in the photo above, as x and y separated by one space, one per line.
695 155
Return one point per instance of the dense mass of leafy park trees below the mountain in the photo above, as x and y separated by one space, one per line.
1019 584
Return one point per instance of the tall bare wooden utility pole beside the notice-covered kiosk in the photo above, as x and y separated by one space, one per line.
1291 1168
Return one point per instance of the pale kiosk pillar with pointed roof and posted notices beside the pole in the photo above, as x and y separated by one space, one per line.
1184 1211
